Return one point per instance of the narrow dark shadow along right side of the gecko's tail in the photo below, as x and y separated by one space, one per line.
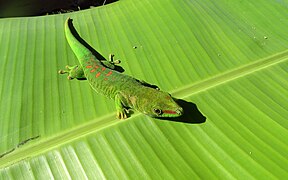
94 52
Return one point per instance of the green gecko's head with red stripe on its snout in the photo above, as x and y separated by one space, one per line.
161 104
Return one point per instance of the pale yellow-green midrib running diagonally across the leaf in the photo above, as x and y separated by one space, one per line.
109 120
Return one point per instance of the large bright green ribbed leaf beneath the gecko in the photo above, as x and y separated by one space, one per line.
227 59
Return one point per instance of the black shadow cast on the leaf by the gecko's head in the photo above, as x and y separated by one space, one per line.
191 114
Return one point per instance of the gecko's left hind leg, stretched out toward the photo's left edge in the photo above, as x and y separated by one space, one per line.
73 72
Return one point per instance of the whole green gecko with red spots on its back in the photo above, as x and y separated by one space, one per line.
127 91
